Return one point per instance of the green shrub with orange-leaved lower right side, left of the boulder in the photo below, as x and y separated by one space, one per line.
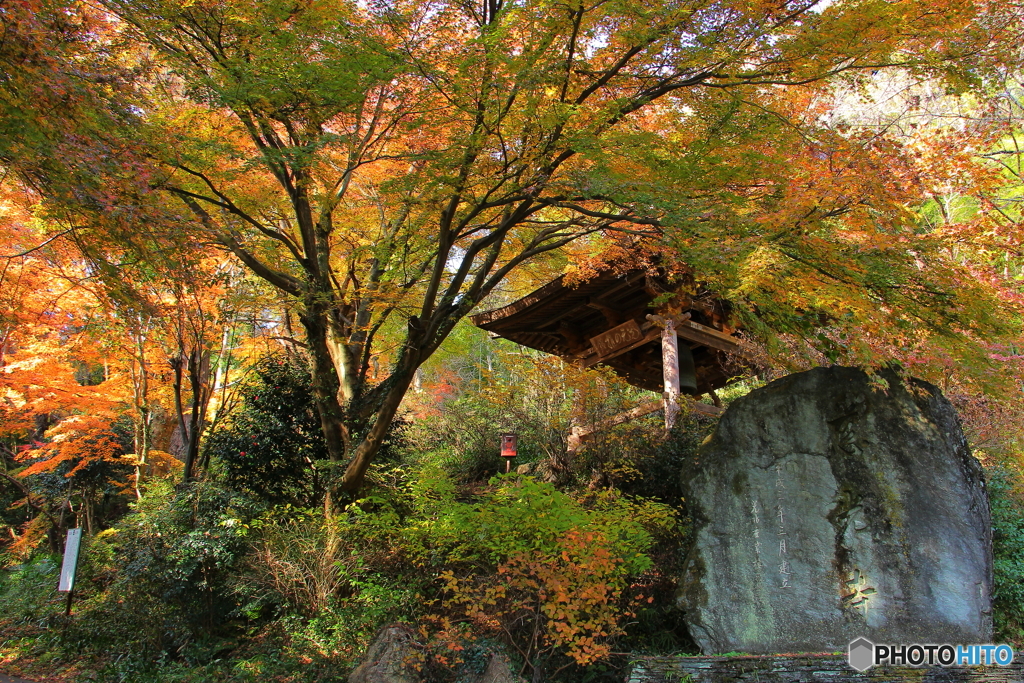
525 563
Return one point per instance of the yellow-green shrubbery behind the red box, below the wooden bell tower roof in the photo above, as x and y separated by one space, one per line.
541 400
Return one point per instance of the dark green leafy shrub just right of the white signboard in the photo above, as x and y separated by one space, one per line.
155 587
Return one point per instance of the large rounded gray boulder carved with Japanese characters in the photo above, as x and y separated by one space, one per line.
827 508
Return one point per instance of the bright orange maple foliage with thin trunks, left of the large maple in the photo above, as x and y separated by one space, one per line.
83 364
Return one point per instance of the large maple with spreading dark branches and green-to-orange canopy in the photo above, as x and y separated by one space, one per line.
407 158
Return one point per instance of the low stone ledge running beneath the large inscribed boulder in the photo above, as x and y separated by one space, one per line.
806 669
